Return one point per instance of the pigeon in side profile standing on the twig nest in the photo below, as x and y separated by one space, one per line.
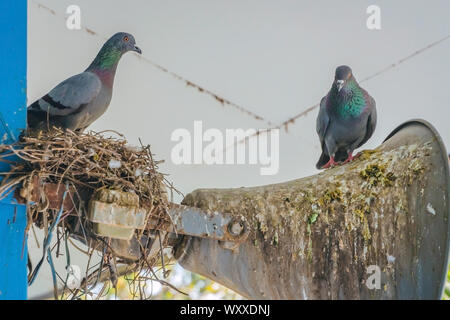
81 99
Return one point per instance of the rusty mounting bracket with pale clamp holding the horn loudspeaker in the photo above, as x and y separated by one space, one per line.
116 214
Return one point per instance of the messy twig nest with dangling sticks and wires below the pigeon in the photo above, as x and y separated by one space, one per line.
80 166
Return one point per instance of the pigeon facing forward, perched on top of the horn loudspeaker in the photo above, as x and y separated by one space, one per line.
346 119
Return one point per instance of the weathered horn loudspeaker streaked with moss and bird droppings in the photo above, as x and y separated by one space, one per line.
314 238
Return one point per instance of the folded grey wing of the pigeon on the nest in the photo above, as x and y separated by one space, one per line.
71 94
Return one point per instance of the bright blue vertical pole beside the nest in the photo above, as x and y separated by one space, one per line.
13 70
